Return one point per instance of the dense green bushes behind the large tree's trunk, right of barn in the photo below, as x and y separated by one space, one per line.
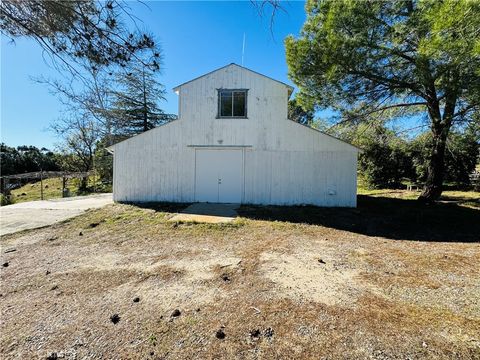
388 160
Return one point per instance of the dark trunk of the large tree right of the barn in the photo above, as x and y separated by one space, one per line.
436 166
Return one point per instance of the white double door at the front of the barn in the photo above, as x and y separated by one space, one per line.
218 175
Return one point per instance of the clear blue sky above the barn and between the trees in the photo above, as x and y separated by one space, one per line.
196 37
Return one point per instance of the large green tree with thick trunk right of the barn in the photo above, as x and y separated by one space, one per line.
364 57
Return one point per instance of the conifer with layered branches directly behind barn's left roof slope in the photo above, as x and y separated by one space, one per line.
136 103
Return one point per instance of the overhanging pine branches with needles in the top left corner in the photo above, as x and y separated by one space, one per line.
78 31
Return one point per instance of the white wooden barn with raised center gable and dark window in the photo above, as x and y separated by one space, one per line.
233 143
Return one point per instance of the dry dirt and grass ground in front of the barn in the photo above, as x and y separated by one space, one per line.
387 280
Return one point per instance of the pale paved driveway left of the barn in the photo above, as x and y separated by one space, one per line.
34 214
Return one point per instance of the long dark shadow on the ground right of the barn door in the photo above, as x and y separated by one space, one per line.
391 218
